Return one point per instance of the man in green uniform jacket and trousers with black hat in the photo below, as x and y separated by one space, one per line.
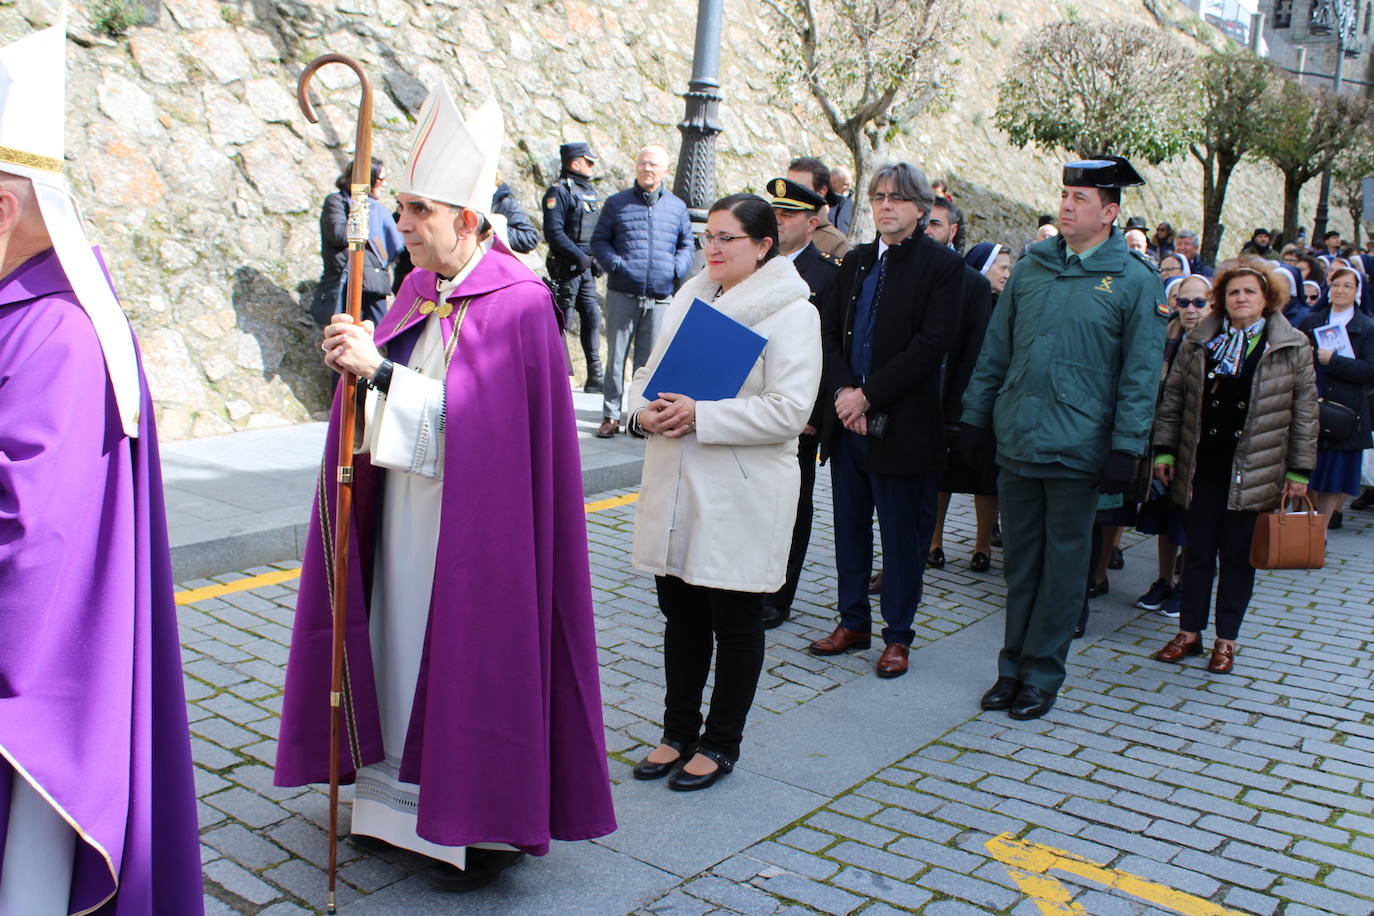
1066 384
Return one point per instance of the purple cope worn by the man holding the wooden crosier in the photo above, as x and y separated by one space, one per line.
506 737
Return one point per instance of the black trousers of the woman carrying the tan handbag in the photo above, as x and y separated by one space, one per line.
1217 534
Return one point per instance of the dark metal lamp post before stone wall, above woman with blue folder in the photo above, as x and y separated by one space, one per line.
696 181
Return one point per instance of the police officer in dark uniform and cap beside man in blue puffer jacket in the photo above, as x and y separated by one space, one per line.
571 212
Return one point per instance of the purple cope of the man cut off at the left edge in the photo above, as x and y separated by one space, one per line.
91 700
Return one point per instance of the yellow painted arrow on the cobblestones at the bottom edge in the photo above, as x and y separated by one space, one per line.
1031 863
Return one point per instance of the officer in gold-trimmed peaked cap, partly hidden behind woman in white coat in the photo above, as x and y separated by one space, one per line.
799 216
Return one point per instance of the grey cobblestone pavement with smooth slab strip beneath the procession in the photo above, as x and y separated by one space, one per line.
1149 789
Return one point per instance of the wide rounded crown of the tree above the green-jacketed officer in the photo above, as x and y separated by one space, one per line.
1096 89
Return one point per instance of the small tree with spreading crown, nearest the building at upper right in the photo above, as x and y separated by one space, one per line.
1307 130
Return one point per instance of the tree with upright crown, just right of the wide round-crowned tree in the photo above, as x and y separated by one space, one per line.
1230 127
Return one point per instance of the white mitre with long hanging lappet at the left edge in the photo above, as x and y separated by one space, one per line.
32 113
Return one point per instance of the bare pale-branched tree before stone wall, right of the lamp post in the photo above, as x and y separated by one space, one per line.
870 65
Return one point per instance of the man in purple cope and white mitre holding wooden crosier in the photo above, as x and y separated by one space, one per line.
472 708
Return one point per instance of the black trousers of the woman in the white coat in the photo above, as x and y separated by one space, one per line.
700 620
